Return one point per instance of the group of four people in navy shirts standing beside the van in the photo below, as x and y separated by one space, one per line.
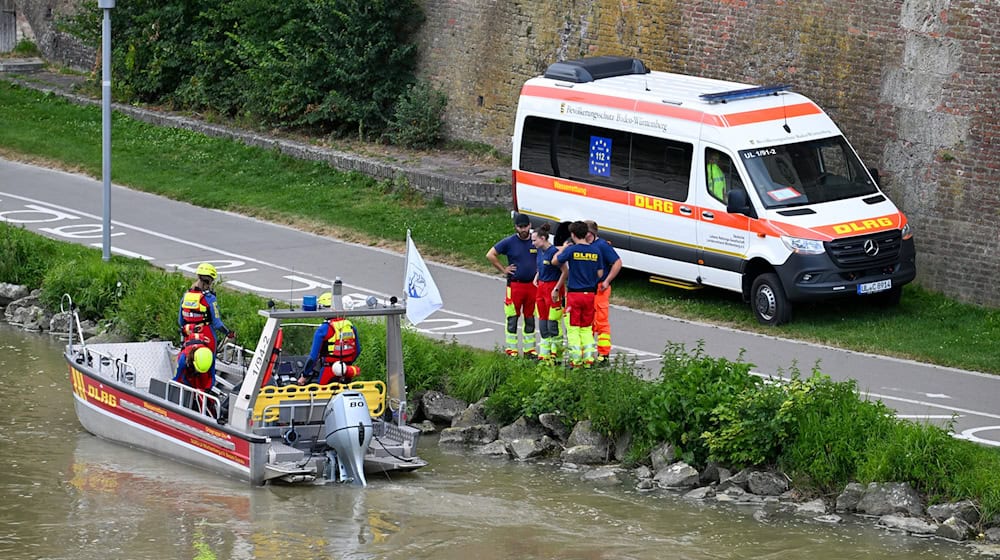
567 286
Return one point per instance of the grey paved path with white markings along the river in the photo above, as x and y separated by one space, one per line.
286 264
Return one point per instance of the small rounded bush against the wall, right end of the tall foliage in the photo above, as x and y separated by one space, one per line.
416 121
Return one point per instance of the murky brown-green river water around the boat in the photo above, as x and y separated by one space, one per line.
65 494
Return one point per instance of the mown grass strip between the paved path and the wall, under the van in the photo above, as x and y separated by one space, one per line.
222 174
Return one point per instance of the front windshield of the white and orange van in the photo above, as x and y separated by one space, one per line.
807 173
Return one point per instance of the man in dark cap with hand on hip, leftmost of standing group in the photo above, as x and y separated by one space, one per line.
520 272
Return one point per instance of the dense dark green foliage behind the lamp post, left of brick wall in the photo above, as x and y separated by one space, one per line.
332 65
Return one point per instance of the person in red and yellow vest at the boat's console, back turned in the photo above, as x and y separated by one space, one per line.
336 346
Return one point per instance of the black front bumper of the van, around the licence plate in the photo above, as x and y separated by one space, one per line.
814 277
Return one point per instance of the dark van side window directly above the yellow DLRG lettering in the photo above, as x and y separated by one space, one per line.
661 167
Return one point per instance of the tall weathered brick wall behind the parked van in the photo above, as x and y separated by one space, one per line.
914 84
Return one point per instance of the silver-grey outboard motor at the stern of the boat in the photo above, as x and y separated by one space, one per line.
347 430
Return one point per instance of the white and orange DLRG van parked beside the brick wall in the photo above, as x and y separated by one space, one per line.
703 182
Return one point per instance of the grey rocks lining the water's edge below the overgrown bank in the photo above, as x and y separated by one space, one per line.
893 506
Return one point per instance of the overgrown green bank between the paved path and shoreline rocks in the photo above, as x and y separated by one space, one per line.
815 430
